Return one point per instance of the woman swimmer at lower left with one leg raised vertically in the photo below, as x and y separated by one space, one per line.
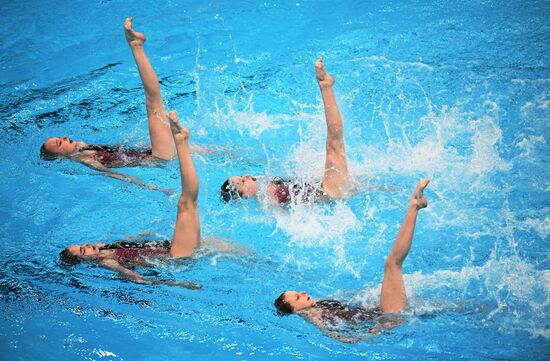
120 256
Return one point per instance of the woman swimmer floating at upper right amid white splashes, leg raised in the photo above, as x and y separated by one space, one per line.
336 175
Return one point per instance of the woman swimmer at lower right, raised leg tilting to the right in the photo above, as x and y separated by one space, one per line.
325 314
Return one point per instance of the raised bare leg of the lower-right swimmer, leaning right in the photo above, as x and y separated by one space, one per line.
393 297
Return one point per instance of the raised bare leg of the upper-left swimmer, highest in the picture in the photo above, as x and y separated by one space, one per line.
159 130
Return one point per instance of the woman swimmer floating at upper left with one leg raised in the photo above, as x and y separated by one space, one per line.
106 157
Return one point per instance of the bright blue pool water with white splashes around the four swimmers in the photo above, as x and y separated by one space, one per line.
458 92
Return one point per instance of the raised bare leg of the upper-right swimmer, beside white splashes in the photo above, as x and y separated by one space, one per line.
336 177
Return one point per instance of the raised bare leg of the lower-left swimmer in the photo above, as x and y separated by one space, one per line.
187 232
